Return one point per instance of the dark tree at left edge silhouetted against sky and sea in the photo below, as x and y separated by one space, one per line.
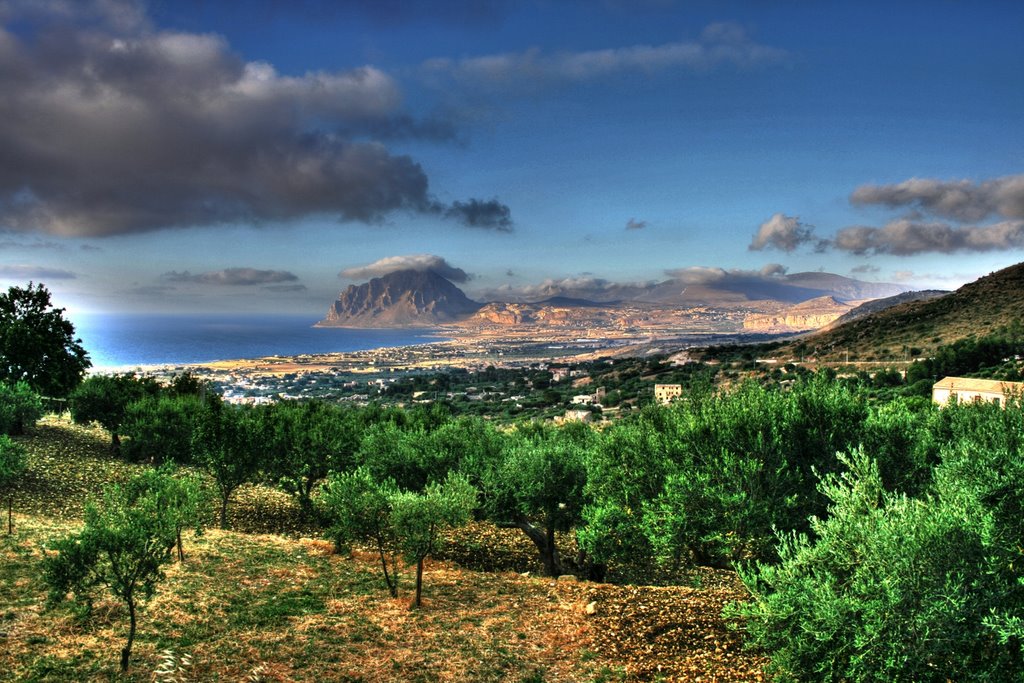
38 345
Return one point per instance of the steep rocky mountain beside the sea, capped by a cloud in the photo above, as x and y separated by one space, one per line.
402 300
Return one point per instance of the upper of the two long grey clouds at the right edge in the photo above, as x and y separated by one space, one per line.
963 201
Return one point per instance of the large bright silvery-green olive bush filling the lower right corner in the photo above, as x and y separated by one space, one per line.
893 588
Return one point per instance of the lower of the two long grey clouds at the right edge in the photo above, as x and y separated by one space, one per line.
908 238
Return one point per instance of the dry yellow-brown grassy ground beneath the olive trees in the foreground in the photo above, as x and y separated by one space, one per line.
287 607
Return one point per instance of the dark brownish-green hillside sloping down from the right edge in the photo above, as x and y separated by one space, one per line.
918 328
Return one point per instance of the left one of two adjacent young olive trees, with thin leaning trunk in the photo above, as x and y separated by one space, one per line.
359 509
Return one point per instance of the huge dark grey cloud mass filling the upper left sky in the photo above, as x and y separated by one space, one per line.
110 127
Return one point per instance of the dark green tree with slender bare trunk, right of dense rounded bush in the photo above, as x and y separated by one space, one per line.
229 443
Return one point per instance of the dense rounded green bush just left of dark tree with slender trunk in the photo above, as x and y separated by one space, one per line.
160 430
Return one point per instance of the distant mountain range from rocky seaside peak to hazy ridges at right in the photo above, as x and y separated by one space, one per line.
423 298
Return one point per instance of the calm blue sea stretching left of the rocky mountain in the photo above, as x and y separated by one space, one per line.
143 340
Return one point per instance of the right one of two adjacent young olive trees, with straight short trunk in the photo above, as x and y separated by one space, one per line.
419 519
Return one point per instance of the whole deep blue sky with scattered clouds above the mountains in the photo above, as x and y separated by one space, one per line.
201 156
